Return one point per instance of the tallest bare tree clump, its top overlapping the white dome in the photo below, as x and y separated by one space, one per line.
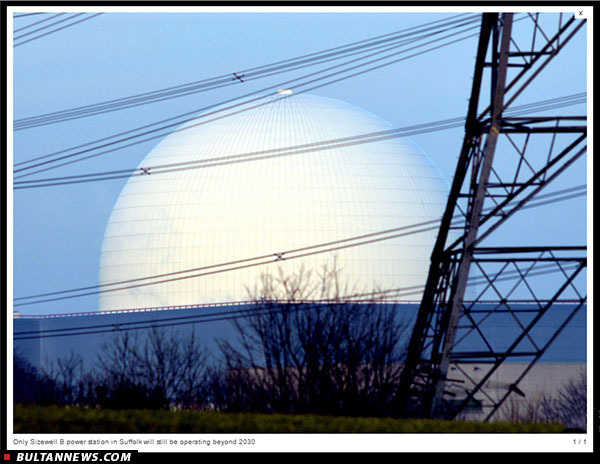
308 347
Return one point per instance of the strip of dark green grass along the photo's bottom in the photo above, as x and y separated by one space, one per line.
53 419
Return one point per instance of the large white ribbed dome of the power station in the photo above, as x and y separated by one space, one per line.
191 218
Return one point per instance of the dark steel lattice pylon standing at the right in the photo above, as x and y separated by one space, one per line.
486 194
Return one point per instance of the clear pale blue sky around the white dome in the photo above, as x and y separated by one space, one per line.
57 231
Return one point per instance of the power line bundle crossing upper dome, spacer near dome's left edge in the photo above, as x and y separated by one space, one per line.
287 151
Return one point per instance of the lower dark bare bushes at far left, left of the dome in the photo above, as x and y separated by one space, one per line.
164 369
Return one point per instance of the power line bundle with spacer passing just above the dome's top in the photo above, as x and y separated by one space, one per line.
249 74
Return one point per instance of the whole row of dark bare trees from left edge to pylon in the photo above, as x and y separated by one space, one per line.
330 357
